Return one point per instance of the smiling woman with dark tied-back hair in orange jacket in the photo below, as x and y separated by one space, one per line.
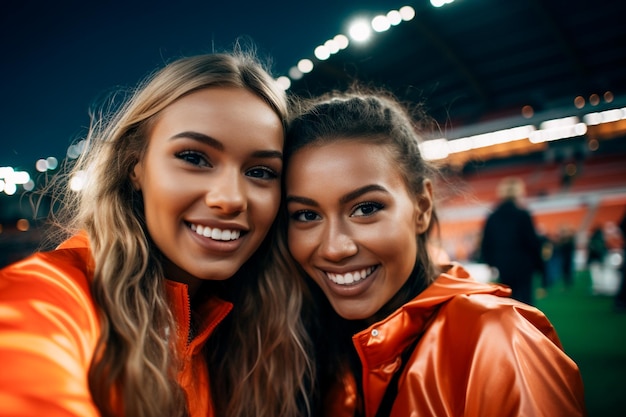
399 335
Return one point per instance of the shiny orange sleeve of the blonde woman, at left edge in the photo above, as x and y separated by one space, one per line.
48 332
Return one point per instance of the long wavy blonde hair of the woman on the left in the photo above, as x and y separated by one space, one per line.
257 357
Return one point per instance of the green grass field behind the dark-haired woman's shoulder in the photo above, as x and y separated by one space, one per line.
593 333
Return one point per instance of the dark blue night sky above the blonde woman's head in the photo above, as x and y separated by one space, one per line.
61 58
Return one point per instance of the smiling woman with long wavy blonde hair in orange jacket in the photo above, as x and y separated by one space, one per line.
166 300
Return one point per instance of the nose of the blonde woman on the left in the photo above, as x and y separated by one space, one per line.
227 192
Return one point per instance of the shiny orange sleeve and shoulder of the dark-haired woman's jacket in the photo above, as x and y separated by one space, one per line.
504 360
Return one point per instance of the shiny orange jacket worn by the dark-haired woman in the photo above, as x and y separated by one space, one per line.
480 354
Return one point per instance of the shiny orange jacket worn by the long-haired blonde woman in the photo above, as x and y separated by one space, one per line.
49 329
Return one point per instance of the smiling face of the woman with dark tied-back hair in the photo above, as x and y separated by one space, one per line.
353 223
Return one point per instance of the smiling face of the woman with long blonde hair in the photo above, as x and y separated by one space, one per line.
210 181
